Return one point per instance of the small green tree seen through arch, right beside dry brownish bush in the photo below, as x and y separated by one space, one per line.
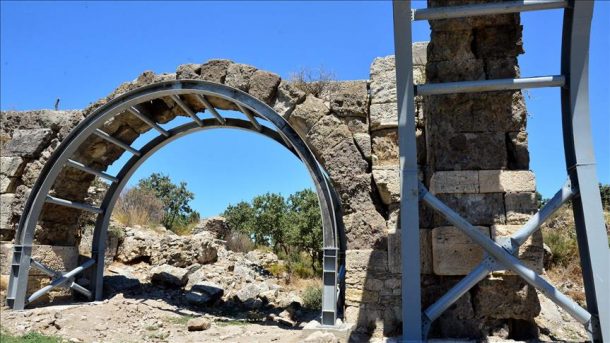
175 198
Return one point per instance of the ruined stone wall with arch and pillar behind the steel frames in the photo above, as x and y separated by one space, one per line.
472 152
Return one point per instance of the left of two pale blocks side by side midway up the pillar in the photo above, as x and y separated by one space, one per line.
455 181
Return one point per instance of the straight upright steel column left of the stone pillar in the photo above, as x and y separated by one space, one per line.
409 198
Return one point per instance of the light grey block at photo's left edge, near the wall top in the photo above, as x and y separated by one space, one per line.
27 143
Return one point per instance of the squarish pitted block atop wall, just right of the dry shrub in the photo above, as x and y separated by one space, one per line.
349 98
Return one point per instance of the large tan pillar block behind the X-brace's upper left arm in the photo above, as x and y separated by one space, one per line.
454 253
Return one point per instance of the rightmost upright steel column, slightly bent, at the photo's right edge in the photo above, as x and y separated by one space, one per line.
580 163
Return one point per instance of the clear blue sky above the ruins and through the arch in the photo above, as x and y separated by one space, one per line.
81 51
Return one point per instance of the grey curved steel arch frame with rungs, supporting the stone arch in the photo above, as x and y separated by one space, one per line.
284 134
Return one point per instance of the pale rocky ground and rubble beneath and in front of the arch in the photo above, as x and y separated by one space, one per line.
161 287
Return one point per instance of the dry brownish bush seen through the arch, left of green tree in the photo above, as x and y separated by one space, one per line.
138 206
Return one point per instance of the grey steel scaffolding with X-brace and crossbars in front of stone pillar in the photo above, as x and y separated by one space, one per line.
581 186
